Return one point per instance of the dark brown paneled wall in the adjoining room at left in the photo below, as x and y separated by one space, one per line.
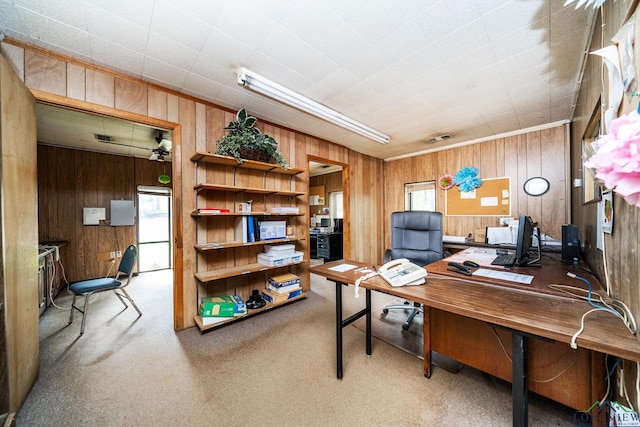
70 180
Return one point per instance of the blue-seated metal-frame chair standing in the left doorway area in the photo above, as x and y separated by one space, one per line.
87 288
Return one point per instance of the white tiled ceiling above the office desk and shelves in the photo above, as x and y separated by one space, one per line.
412 69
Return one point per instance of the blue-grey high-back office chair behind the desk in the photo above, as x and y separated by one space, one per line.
417 236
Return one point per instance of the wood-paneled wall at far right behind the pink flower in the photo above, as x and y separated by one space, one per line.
621 247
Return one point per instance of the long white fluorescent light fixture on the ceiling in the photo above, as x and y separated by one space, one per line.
259 84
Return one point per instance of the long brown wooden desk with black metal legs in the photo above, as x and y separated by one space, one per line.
522 313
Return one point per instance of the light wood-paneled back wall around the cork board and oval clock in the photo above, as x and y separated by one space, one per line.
540 153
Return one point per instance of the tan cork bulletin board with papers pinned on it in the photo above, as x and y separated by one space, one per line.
492 198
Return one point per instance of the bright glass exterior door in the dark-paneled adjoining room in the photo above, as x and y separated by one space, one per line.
154 228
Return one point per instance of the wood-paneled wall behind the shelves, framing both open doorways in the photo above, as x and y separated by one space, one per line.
197 126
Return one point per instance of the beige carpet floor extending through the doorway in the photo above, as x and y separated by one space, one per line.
276 369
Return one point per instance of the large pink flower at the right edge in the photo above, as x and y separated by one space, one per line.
617 161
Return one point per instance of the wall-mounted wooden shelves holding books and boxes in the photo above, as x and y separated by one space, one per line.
245 275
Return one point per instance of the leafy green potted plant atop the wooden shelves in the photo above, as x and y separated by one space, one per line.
245 142
